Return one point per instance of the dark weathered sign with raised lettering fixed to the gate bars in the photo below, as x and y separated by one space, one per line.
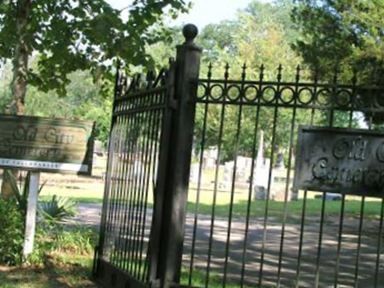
348 161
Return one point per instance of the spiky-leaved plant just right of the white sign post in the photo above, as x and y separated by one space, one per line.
57 210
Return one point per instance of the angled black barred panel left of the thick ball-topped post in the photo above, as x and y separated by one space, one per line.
133 159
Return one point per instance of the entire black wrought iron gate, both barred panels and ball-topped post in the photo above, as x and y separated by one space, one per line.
230 218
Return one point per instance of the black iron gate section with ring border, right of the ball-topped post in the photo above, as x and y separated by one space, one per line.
246 226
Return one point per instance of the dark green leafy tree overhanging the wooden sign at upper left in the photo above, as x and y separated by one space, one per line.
71 34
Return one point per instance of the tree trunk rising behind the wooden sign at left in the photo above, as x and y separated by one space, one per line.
20 70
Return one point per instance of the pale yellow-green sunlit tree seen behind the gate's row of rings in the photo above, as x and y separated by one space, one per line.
262 33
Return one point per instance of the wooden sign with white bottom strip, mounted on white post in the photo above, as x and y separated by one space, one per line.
43 144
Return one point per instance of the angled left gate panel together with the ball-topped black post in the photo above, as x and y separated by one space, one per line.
141 232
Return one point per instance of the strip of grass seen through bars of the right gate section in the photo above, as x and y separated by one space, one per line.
257 208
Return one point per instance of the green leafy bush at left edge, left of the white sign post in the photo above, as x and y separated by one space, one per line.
11 233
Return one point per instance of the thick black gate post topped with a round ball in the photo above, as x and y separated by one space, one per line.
179 159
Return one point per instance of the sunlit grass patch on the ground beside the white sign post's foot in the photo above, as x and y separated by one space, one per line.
60 259
